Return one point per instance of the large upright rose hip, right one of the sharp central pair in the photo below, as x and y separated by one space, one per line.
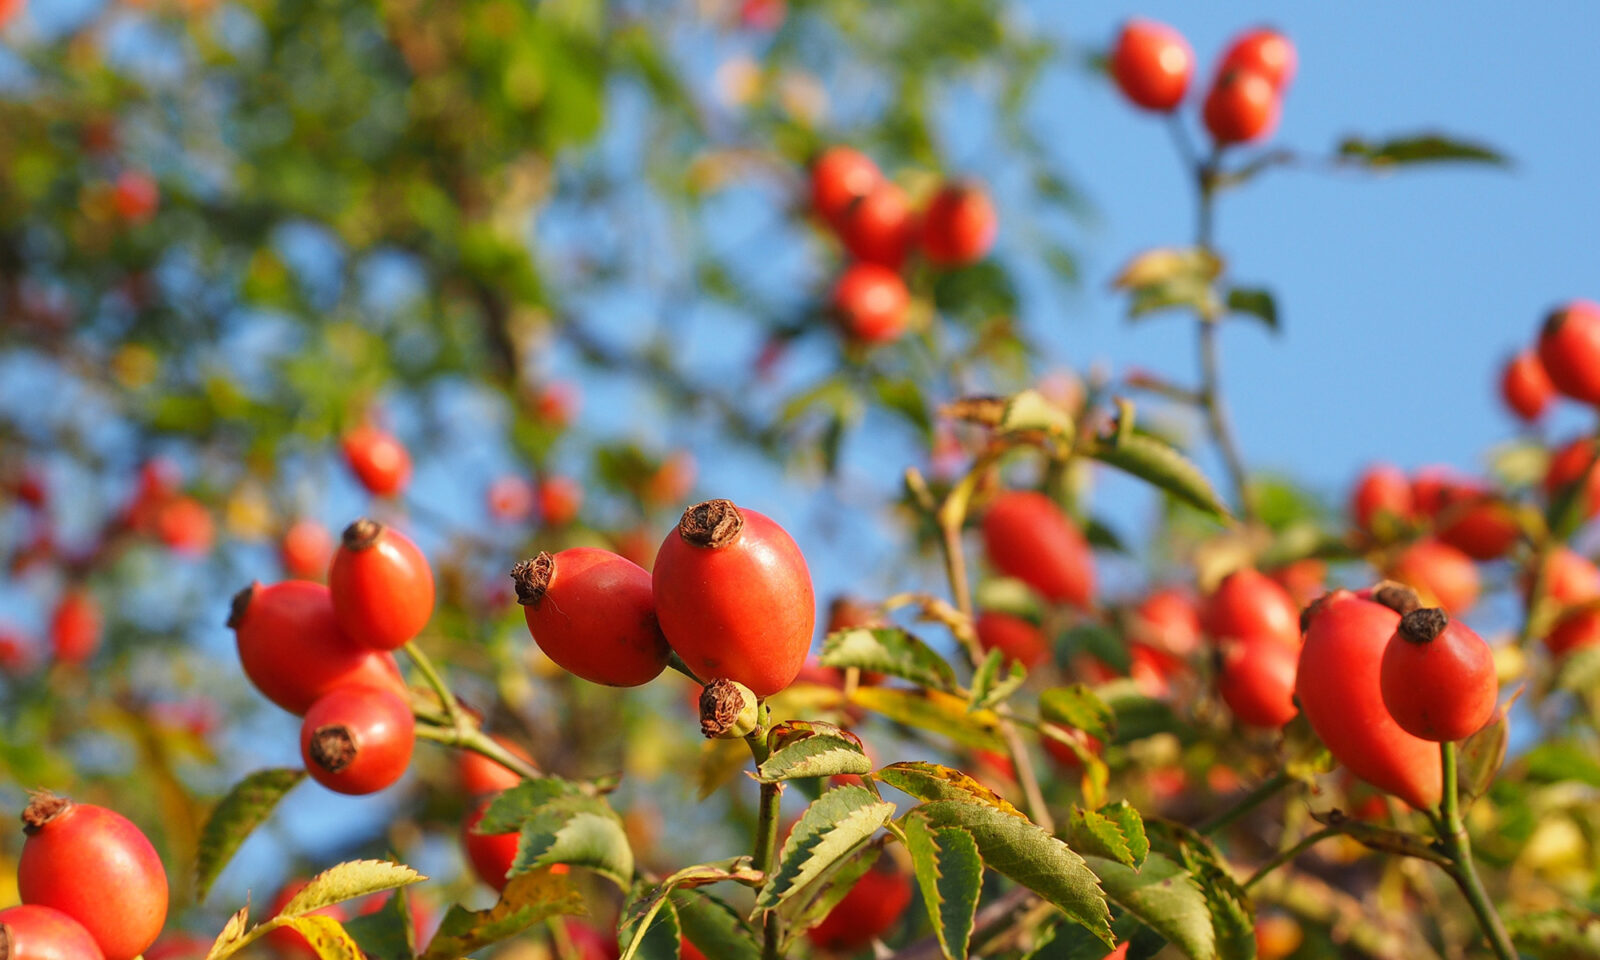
735 598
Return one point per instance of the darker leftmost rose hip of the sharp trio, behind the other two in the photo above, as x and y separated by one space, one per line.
294 652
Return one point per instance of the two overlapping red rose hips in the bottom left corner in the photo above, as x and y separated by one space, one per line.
90 882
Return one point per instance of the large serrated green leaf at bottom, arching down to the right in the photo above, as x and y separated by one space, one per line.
1028 855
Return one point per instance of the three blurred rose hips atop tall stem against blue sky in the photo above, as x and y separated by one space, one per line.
1153 66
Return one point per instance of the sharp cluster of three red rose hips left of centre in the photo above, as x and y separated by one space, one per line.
324 654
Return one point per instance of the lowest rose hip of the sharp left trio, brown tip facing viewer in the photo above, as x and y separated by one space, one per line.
358 740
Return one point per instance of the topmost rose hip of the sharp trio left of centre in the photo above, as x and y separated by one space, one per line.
383 588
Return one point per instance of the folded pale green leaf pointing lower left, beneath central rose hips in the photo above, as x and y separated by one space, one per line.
831 830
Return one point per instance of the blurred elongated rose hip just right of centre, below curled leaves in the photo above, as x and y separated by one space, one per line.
1028 537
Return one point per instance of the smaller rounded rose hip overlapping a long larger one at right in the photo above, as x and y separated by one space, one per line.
1438 678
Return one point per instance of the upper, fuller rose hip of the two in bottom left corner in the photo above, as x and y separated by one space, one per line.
97 868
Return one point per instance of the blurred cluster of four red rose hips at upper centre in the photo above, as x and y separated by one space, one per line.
881 228
